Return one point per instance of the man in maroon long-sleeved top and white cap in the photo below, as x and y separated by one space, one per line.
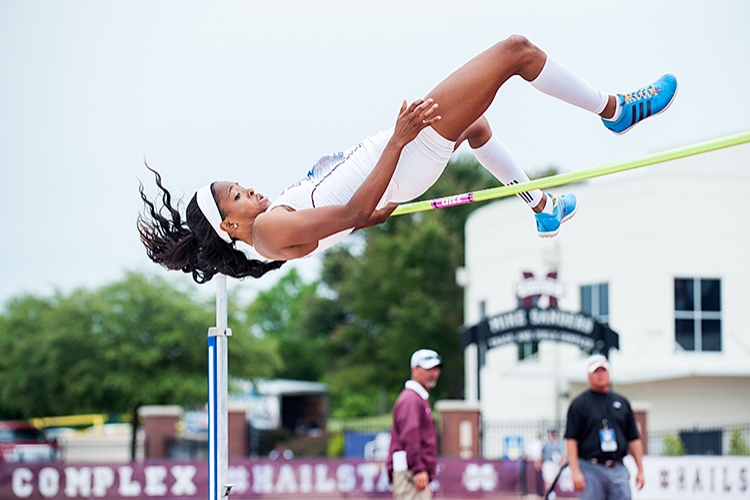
412 457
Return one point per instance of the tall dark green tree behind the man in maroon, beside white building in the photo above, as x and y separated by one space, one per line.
396 296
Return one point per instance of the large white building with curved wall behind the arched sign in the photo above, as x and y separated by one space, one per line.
642 242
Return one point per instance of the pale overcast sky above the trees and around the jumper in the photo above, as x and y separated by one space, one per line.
257 91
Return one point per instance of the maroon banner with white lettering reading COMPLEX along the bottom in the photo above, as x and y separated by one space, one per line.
284 479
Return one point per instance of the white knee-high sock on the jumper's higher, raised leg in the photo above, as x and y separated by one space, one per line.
558 81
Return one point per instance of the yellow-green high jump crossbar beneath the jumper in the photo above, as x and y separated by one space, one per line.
567 178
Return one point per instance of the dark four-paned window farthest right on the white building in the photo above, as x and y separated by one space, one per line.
697 313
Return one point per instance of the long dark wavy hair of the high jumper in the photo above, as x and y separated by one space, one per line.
192 247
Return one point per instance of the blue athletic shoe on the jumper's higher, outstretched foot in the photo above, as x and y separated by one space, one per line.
642 103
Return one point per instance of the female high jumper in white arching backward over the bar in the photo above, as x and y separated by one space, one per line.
363 185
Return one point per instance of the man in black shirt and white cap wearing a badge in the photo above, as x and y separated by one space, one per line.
600 430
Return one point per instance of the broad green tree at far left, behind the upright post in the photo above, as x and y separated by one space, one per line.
137 341
